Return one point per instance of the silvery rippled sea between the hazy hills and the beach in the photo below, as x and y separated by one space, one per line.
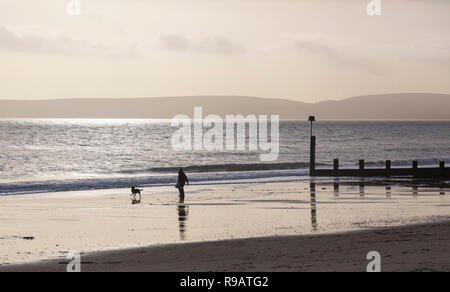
60 155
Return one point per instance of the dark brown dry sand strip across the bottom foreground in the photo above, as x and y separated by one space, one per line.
416 247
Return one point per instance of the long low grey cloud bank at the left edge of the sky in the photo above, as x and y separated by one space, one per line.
61 45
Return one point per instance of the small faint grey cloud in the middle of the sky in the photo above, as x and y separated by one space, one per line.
212 45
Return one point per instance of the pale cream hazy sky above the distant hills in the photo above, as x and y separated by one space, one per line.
305 50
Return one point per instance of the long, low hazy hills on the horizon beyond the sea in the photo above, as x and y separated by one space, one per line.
392 106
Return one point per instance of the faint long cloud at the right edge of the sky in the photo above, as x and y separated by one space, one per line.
424 47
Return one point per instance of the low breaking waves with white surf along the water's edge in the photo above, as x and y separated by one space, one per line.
200 174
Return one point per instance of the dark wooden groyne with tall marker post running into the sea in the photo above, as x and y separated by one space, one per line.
414 171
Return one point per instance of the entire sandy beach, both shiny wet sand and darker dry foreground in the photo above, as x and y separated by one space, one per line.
278 225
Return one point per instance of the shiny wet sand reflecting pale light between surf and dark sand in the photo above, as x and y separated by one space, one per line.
247 210
